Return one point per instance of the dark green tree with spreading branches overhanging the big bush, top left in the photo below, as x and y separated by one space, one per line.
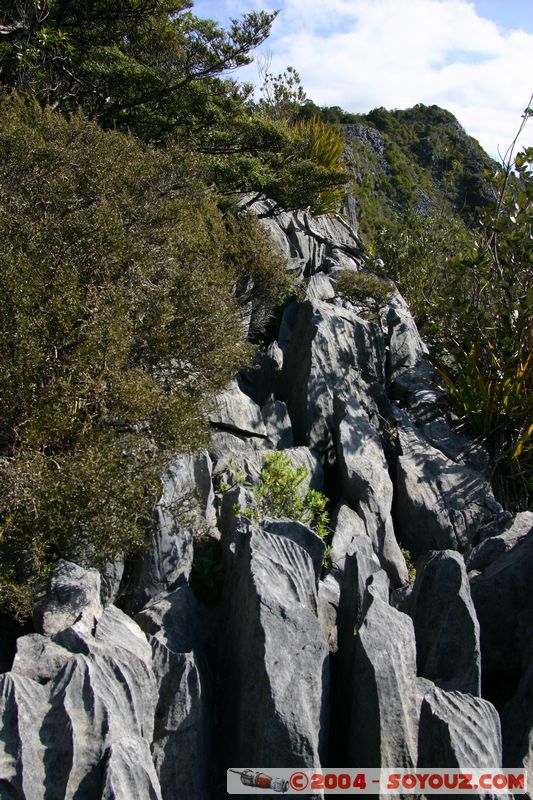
152 68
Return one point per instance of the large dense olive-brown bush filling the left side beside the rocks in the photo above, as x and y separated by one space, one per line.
118 276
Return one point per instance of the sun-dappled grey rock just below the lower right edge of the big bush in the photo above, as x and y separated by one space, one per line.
186 507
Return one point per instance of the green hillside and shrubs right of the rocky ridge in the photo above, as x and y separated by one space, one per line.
453 230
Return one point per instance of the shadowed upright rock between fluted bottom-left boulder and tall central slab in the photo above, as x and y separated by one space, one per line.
181 743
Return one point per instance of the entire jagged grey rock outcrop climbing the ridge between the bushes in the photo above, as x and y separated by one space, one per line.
242 642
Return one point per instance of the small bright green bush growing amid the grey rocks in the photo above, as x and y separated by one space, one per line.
278 494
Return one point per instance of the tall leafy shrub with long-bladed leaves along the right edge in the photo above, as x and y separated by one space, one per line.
491 380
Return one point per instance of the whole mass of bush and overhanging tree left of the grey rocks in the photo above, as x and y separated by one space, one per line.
127 266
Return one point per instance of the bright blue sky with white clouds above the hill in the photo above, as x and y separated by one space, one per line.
474 58
